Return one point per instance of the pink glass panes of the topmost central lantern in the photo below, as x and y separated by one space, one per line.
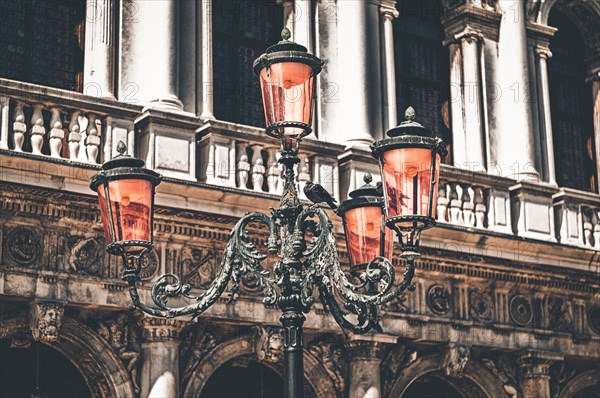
287 94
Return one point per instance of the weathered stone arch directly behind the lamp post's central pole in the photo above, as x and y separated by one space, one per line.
314 373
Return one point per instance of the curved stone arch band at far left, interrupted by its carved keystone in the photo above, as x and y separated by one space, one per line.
99 366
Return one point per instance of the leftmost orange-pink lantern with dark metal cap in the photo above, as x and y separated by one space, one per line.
126 197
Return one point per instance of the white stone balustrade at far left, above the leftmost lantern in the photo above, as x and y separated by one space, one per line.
62 124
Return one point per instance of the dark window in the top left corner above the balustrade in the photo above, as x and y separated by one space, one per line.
42 42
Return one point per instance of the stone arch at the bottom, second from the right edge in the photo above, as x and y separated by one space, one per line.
474 372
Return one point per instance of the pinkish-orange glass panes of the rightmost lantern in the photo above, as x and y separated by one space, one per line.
407 182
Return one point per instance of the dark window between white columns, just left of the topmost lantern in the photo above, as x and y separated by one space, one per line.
242 30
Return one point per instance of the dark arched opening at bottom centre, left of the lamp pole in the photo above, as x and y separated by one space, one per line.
243 379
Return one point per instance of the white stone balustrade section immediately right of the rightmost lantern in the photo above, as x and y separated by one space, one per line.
474 200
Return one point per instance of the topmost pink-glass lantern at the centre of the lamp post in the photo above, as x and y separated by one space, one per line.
287 75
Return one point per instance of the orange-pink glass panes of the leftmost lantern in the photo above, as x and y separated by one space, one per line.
131 203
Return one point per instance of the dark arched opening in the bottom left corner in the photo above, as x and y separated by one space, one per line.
57 376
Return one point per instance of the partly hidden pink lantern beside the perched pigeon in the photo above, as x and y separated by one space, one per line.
363 217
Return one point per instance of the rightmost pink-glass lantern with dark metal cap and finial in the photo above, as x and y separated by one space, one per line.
410 171
